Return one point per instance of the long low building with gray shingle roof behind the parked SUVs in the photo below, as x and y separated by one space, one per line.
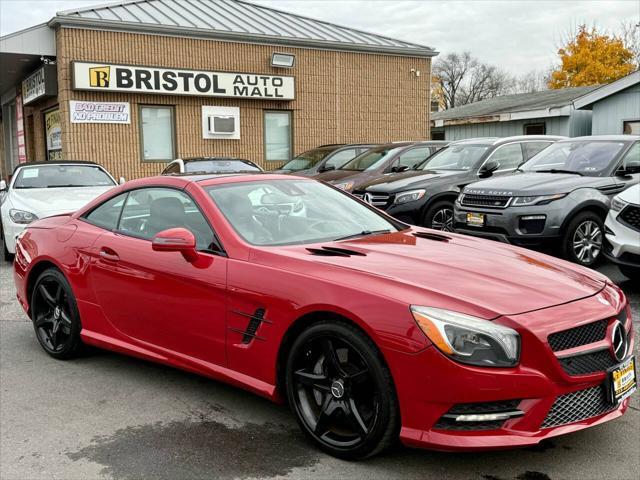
550 112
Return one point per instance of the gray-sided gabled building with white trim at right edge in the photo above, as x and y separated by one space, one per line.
615 107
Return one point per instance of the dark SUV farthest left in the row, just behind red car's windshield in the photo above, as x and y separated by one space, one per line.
323 159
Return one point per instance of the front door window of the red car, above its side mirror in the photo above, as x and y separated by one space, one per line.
149 211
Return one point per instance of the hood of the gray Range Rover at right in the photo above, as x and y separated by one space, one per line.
530 184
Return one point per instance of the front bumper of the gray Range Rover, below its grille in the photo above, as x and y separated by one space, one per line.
526 226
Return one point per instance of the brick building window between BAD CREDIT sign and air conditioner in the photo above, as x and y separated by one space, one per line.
157 133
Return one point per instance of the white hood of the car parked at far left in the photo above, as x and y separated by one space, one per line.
45 202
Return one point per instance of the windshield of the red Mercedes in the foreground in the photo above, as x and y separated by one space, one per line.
287 212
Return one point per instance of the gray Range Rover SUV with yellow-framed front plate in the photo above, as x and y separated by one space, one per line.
559 197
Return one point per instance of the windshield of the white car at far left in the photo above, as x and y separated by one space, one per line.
56 176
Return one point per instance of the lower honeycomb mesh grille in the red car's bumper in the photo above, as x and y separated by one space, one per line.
576 406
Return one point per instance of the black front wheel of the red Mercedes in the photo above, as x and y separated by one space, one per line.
341 391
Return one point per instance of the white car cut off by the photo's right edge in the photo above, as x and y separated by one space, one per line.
622 232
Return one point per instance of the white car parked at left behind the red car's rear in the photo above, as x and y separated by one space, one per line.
42 189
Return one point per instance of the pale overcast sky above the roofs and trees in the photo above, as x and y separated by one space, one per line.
517 35
